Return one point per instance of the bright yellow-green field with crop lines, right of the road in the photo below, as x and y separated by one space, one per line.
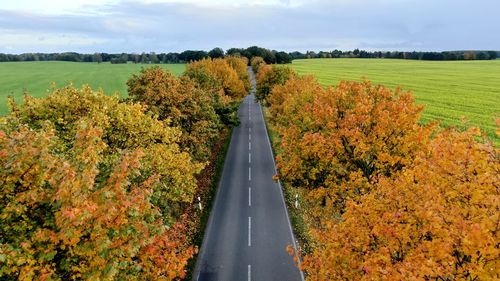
450 90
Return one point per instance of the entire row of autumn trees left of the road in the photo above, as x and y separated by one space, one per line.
94 187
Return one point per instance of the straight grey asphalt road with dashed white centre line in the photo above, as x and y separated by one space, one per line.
249 228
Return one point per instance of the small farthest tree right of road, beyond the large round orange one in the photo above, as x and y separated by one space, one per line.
269 77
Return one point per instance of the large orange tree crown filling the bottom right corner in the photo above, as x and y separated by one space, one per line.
437 221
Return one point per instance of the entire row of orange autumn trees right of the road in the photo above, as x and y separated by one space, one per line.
381 196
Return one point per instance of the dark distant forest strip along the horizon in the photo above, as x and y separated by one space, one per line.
270 56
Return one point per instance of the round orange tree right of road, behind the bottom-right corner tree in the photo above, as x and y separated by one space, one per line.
339 140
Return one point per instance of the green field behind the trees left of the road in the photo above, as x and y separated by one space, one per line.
37 77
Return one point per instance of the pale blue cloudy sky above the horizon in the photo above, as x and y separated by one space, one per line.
116 26
